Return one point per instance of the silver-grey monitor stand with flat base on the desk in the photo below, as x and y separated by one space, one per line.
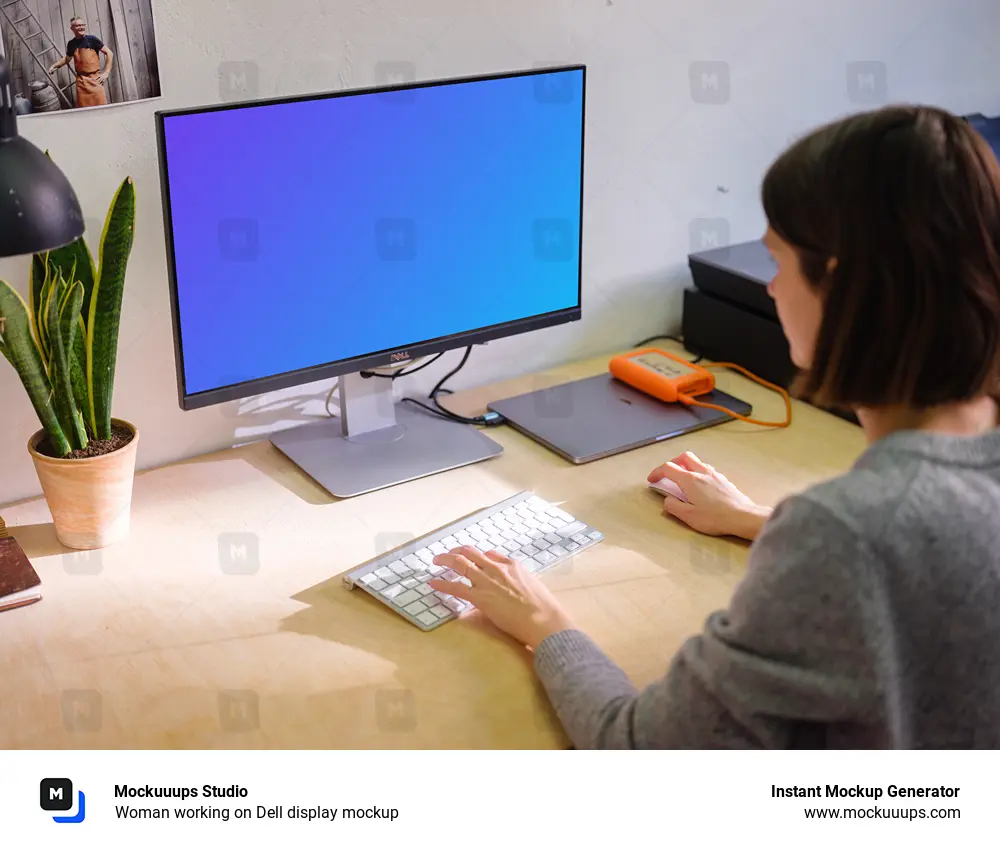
376 443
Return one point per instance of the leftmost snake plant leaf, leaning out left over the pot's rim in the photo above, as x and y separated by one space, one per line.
23 353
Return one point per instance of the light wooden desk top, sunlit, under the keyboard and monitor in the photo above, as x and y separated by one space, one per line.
169 640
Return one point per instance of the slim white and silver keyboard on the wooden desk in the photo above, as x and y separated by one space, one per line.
525 528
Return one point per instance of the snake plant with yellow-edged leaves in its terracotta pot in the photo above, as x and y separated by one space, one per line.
63 344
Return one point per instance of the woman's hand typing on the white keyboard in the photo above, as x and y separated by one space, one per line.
510 597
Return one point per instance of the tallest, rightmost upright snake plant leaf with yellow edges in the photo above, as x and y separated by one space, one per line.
105 307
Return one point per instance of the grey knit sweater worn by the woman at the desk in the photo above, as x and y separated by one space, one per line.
869 617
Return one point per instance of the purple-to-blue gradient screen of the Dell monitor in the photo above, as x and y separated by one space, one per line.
321 230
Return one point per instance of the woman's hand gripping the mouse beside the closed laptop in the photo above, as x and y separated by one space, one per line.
714 506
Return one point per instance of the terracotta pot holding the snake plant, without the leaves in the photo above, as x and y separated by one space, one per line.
90 499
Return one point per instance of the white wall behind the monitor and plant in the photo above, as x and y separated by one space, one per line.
664 171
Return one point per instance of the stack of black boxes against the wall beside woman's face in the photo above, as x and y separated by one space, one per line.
729 316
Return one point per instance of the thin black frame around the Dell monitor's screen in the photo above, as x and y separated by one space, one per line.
372 360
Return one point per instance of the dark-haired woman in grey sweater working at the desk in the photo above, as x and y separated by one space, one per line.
870 612
